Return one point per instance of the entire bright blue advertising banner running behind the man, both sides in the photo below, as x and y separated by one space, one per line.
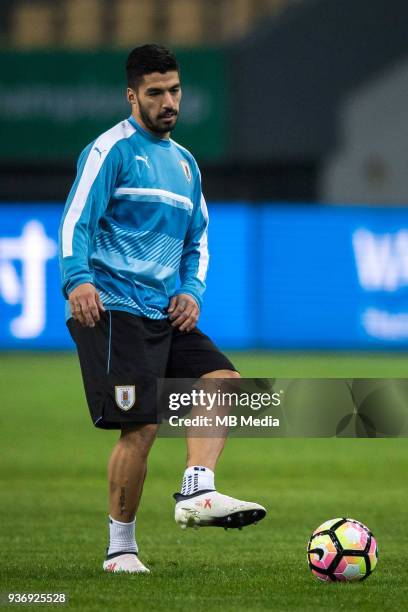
280 277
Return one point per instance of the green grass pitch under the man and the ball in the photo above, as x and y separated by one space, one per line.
53 523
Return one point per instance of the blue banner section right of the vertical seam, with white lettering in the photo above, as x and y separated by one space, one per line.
333 277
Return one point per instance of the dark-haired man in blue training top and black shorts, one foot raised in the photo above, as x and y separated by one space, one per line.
135 220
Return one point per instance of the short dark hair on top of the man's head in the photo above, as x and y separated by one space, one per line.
147 59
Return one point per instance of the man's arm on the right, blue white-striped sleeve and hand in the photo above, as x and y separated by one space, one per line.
185 306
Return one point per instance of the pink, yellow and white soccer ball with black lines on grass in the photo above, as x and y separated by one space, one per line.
342 549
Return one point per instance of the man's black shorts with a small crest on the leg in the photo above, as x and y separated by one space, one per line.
122 357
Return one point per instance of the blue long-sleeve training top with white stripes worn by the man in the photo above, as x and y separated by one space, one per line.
134 220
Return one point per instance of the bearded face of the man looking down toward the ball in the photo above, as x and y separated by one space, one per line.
156 101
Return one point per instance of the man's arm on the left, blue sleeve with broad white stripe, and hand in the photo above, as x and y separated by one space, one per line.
95 181
